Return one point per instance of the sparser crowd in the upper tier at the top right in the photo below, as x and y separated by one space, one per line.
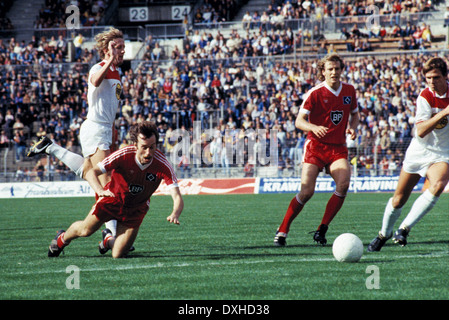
271 32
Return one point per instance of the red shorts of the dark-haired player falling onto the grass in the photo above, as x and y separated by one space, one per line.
111 208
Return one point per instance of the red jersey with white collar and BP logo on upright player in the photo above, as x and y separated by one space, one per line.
331 109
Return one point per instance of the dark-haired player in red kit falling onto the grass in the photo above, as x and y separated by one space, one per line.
137 171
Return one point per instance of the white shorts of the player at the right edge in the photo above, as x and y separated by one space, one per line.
418 159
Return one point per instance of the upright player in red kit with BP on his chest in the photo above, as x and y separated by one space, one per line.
329 112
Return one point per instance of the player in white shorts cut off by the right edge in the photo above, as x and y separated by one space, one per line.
427 156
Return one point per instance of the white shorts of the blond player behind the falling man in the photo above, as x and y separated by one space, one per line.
93 136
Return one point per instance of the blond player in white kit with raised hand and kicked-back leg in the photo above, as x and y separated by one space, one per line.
96 132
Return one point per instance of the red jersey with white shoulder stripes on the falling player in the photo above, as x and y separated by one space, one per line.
133 182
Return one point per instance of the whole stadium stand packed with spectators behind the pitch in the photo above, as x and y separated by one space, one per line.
227 72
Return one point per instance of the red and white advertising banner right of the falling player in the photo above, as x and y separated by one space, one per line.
212 186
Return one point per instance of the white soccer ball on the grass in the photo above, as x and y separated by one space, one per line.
347 248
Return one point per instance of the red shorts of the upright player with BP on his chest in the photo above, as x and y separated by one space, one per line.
322 154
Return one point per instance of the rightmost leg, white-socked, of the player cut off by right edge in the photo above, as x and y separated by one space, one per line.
438 176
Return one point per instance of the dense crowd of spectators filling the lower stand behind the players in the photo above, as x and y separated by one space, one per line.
239 94
